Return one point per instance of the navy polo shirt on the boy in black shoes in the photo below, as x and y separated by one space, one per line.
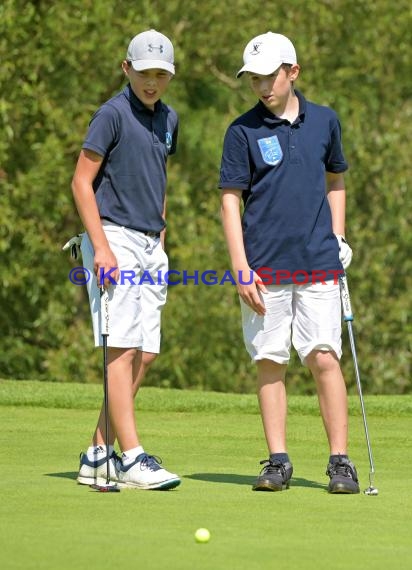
280 167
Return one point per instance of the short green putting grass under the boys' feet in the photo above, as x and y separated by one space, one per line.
214 441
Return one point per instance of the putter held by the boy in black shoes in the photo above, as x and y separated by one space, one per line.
348 318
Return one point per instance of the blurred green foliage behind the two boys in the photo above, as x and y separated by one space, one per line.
61 60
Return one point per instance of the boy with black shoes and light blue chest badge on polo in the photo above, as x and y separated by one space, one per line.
284 159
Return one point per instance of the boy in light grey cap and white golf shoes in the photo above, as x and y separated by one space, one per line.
119 188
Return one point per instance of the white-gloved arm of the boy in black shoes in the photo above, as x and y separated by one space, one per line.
337 201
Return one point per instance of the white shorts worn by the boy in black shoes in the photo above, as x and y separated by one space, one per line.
308 315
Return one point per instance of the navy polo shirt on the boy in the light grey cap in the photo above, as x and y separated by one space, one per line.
135 143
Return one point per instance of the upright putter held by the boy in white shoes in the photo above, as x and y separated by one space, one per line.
104 316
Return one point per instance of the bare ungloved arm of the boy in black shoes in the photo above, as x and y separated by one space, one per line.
232 226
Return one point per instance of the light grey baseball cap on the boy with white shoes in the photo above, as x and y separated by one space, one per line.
151 50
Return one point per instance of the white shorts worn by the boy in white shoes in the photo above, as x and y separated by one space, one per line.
136 301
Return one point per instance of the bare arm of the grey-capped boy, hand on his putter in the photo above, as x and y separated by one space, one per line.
87 167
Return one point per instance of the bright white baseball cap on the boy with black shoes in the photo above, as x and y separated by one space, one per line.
265 53
